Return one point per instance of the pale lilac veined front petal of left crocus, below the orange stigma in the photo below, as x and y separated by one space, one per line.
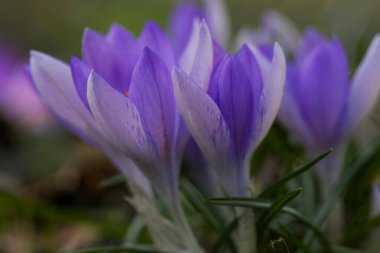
119 118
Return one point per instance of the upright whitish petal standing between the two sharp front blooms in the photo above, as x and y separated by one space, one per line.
197 59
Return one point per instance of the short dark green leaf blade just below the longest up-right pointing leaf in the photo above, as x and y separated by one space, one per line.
264 219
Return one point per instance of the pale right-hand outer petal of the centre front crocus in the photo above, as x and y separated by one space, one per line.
274 74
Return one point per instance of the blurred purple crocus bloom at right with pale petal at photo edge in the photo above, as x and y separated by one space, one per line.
321 105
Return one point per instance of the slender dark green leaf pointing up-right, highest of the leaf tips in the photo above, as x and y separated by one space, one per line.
278 184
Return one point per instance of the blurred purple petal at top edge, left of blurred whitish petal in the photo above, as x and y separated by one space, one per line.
183 16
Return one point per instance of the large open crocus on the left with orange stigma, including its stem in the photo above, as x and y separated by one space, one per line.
119 97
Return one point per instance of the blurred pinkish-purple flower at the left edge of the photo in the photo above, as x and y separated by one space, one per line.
19 102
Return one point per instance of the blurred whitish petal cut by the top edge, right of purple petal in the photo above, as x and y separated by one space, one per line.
218 20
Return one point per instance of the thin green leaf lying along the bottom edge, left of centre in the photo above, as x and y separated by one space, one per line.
116 249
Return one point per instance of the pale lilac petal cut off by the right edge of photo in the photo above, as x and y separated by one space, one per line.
365 86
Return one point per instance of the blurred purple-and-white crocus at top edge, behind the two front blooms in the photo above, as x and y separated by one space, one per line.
187 13
